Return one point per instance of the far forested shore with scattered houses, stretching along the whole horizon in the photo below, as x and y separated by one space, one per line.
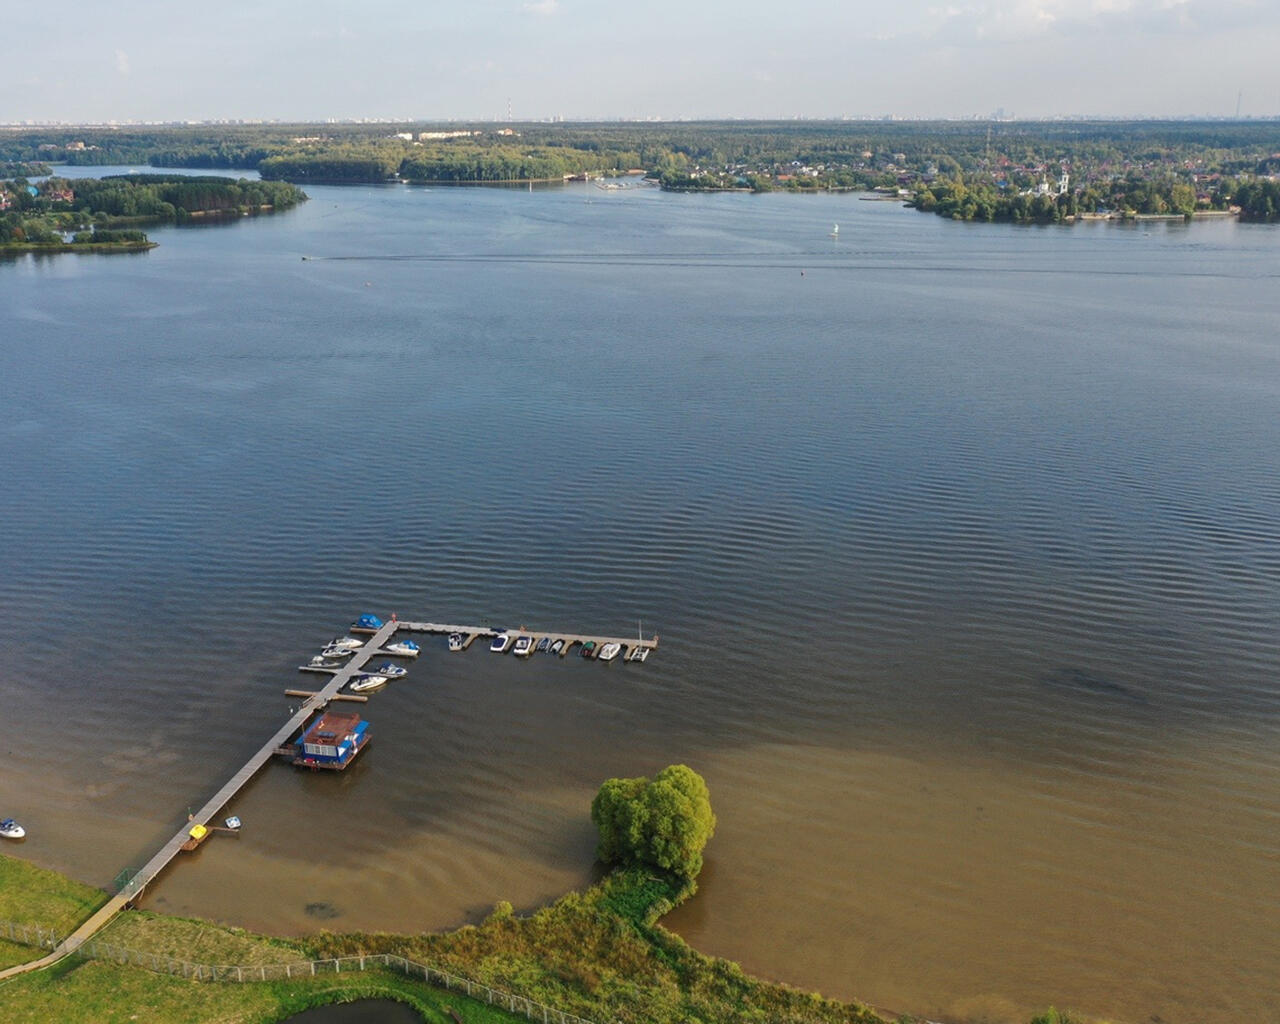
971 171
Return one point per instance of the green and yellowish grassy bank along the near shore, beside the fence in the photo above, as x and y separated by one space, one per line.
600 954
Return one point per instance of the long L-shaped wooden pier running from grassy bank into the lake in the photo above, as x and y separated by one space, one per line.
313 703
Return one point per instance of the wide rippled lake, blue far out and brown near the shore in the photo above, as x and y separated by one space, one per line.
963 542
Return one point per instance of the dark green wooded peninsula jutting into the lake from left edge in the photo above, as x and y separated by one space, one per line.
106 212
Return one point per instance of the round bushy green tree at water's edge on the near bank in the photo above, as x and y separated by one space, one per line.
664 822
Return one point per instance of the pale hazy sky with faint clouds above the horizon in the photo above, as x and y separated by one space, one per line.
314 60
